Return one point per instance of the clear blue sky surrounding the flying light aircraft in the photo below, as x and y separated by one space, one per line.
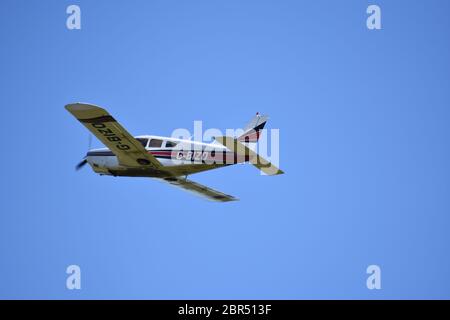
364 128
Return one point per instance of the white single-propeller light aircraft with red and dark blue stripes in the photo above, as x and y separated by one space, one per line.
167 159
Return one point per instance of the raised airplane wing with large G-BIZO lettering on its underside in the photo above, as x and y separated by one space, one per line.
128 150
